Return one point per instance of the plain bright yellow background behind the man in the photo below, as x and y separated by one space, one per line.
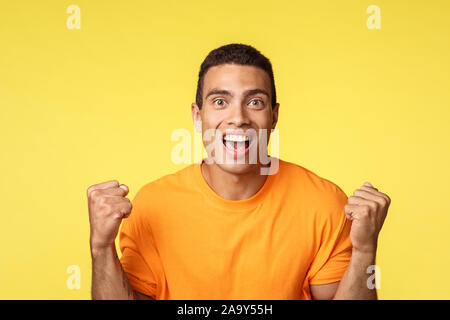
79 107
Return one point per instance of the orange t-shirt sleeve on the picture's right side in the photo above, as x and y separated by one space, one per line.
335 247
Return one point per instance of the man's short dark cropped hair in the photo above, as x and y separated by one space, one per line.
235 53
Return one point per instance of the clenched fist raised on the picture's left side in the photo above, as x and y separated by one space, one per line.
107 207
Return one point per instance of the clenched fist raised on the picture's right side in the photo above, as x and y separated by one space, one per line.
367 209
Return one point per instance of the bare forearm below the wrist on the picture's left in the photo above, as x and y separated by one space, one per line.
108 278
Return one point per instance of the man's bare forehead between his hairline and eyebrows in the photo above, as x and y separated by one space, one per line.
235 77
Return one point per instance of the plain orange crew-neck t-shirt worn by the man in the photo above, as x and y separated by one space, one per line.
183 241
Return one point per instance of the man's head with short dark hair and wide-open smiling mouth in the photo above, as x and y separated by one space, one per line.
236 95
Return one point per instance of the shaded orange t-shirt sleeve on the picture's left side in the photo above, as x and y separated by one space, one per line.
137 258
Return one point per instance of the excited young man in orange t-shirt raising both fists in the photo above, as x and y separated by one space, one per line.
223 230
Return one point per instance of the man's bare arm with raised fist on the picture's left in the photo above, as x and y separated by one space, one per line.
107 207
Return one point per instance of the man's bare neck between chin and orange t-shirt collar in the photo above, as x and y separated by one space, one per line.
232 186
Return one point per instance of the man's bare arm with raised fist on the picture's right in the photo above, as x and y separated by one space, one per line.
367 209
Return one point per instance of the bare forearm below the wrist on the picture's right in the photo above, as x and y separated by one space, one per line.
353 284
